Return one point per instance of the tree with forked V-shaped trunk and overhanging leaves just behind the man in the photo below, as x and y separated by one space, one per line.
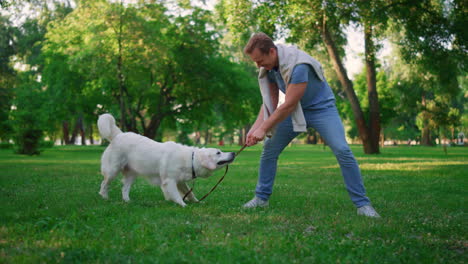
310 23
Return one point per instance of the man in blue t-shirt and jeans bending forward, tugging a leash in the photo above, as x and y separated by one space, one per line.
309 102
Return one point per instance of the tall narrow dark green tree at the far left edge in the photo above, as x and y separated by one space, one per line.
26 94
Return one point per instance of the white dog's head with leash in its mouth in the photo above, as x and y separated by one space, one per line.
213 159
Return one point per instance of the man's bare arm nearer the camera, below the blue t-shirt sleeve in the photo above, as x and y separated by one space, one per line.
294 93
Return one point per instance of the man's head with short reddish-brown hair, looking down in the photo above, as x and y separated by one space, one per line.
262 51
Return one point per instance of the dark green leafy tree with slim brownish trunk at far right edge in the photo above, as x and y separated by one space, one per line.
432 38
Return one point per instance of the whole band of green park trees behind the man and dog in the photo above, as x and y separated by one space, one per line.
178 68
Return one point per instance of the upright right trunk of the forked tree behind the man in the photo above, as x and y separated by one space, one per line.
374 108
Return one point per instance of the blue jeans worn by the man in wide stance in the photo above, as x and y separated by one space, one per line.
328 123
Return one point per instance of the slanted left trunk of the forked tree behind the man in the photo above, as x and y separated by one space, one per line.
348 88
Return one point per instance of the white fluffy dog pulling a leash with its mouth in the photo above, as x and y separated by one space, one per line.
169 165
